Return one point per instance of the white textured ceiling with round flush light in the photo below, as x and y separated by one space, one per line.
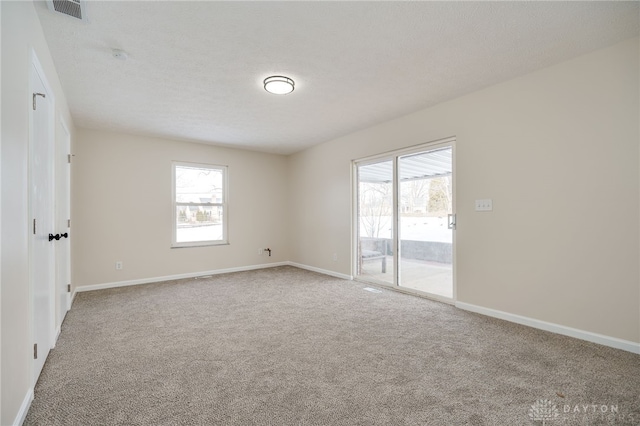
195 69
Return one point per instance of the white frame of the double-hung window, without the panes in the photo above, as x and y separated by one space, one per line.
223 205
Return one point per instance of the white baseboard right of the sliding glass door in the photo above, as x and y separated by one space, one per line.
554 328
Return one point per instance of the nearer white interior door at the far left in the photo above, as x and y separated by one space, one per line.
41 202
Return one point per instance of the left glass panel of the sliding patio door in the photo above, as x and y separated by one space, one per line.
375 222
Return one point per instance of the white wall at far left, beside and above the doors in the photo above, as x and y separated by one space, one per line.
21 31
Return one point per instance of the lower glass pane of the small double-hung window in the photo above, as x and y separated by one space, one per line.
199 223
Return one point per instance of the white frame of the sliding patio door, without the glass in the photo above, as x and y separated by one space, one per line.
394 157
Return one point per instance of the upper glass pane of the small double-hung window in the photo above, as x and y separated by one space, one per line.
199 185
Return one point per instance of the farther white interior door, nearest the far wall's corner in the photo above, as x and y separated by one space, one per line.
63 209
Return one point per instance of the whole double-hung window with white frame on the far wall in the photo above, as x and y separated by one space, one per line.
199 205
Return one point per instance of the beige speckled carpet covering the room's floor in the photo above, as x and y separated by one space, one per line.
285 346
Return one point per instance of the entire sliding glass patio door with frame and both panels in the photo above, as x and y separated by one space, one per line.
406 220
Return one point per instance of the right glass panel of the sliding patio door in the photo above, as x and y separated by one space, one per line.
425 201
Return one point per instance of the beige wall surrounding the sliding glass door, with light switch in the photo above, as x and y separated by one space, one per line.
557 150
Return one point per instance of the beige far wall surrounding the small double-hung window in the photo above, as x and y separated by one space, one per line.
122 211
